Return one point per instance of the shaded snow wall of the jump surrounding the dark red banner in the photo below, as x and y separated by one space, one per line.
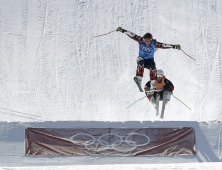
12 147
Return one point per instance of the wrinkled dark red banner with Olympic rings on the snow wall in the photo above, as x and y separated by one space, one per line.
110 141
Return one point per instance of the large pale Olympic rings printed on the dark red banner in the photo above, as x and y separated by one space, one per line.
116 145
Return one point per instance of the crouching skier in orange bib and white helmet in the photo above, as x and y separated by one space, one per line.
161 84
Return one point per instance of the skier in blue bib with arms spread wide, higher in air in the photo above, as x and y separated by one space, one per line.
147 48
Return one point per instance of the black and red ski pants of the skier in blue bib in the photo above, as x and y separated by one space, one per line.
148 64
